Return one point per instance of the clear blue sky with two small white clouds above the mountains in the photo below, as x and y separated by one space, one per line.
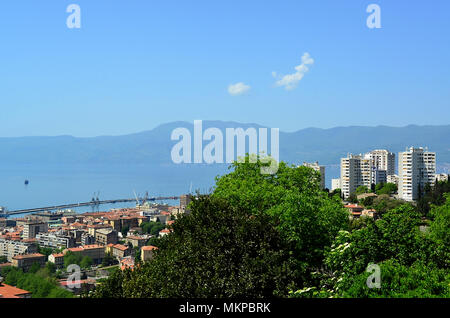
136 64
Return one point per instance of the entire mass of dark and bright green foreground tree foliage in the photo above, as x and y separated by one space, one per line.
259 235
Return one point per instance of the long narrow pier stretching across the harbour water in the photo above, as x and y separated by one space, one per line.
81 204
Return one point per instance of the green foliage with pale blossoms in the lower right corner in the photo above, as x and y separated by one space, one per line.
414 261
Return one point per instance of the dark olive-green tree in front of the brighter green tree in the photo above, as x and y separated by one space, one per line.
215 251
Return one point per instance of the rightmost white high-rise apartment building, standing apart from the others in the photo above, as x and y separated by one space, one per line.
416 168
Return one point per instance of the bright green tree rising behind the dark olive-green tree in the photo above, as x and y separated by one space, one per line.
304 214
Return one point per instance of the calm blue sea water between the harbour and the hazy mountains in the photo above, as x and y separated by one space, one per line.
62 184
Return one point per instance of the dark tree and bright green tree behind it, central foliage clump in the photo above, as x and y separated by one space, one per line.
255 235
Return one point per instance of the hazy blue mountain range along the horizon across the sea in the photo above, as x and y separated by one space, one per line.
312 144
